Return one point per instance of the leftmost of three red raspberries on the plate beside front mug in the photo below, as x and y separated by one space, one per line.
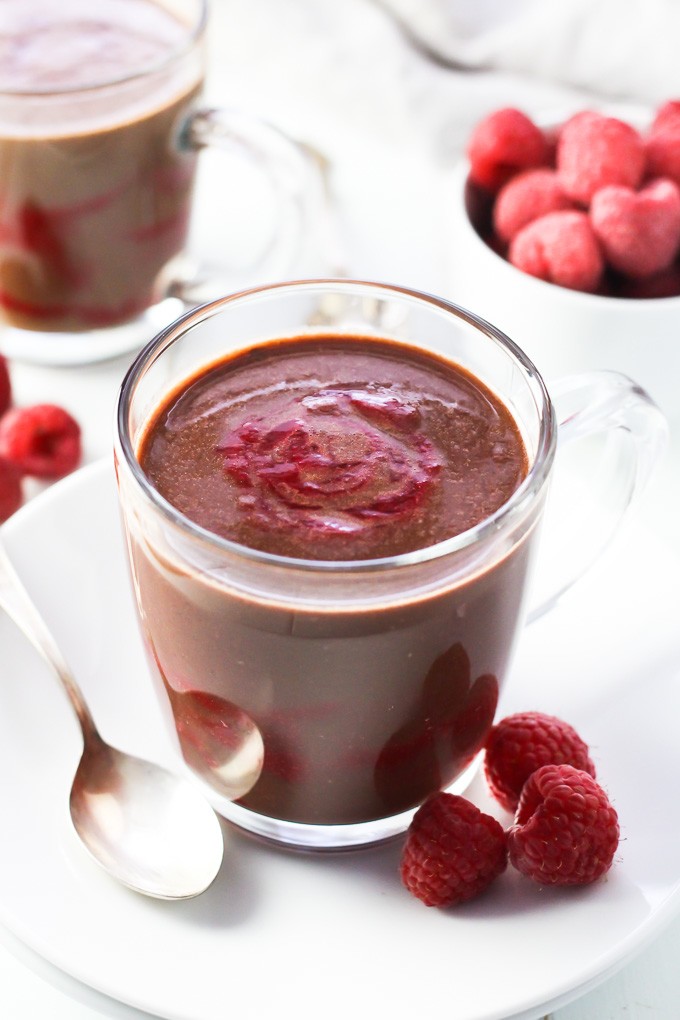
453 851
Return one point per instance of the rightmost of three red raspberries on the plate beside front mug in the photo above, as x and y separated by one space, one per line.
566 832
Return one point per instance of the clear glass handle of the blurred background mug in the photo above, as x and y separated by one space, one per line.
298 178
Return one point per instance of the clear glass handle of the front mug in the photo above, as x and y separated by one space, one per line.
625 435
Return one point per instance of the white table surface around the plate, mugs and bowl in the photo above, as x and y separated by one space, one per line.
341 77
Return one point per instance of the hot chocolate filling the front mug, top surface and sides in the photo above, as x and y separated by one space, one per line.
338 449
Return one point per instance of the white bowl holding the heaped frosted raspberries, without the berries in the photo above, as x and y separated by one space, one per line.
561 330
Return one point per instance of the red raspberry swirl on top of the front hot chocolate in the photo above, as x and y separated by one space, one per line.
339 462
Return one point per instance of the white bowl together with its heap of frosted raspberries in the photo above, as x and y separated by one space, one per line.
567 237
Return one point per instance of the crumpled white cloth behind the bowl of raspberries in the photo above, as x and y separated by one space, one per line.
621 49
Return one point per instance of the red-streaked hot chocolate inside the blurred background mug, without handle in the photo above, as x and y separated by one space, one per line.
94 194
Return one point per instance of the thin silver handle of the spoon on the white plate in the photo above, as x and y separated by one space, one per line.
17 603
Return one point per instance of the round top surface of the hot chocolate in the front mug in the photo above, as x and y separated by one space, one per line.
338 448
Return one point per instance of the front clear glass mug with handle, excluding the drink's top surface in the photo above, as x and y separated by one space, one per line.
323 702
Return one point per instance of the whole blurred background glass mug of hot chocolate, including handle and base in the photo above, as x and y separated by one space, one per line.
100 126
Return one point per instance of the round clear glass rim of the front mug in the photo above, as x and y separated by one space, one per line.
512 511
